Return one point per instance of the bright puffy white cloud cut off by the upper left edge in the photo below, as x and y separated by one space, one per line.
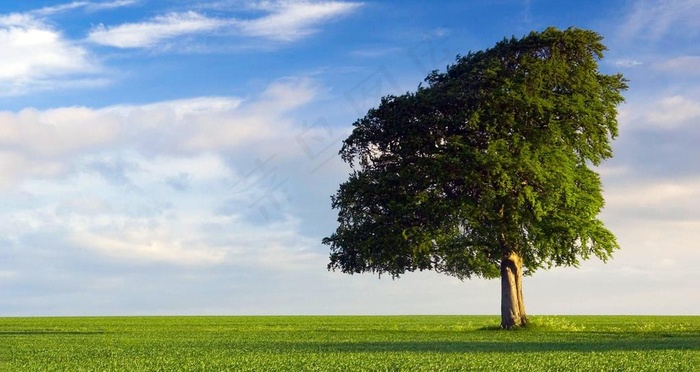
35 55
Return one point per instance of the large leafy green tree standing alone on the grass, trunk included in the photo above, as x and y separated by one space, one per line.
487 171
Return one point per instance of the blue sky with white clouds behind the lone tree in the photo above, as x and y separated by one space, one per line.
177 157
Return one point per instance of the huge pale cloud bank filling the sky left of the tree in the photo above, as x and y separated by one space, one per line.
158 183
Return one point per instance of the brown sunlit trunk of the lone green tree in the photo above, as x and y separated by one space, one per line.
512 305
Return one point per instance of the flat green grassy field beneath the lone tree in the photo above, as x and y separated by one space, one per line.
349 343
